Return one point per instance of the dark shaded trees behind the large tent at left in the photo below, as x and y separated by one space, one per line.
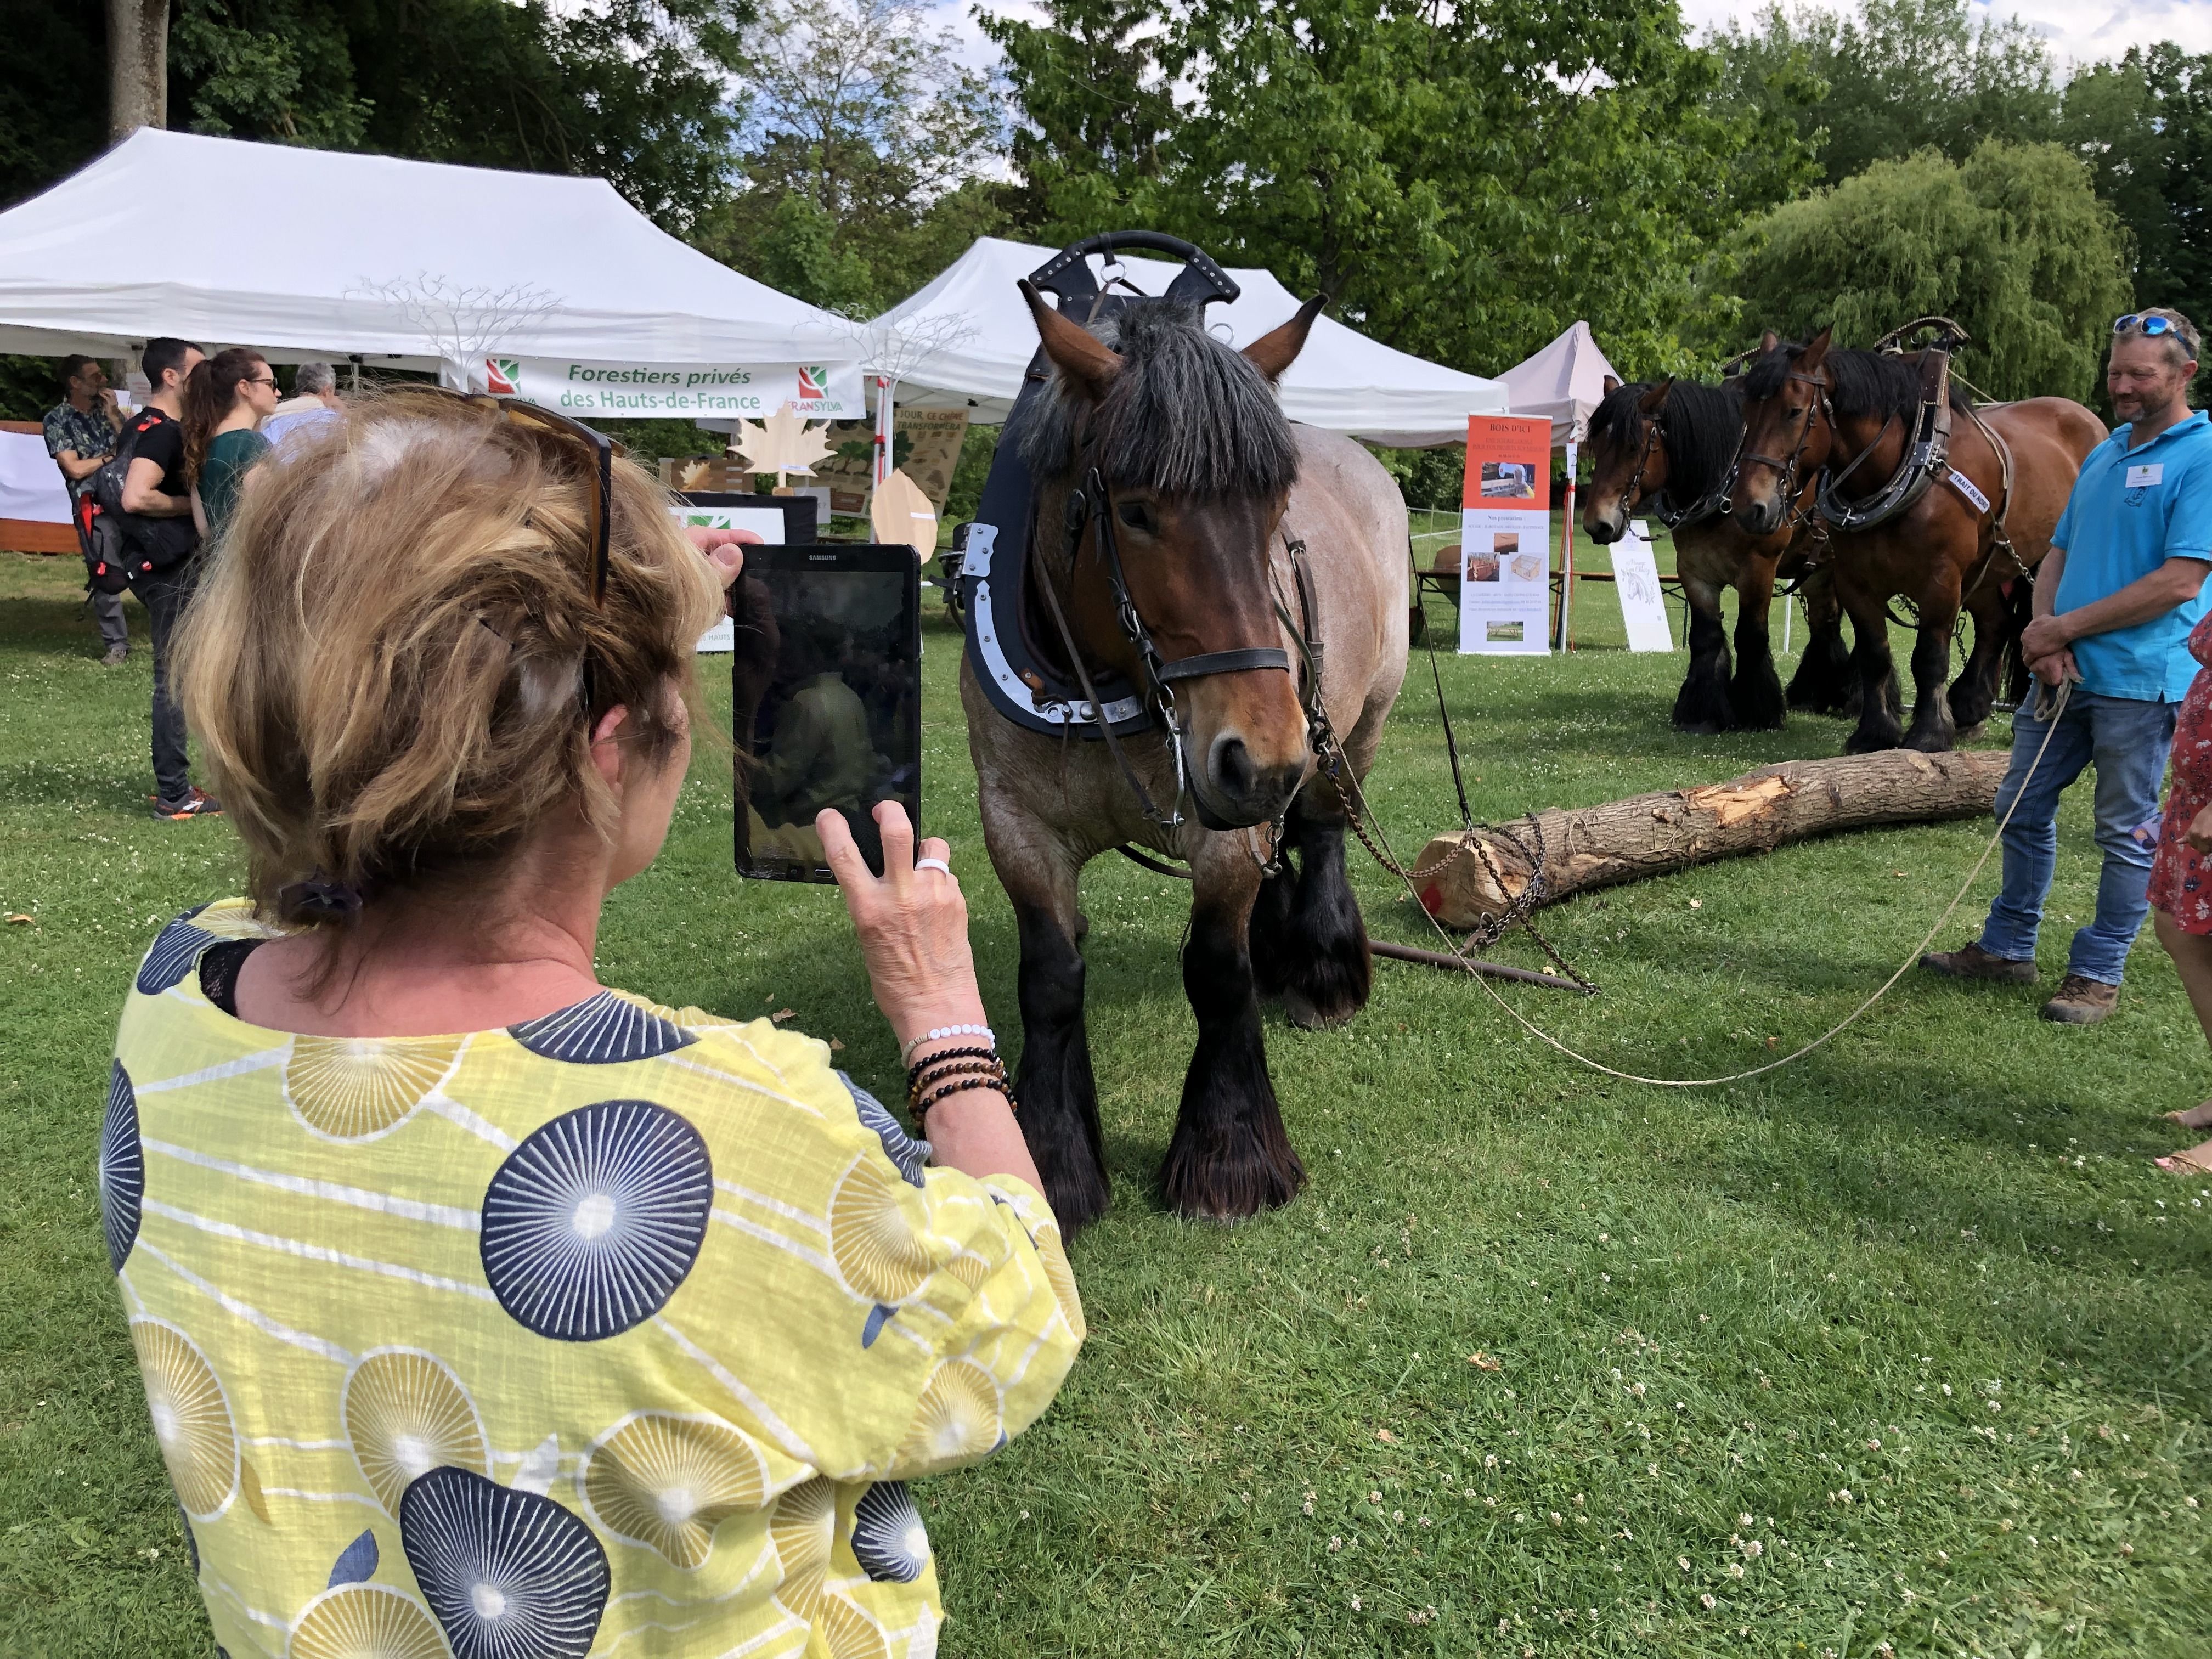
636 92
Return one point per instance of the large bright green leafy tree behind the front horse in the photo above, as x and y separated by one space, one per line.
1463 180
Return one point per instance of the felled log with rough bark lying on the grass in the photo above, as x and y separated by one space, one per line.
1651 835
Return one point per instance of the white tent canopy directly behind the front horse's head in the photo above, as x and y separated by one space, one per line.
972 340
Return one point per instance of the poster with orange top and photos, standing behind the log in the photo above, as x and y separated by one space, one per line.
1505 536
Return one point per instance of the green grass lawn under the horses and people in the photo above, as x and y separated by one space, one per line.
1901 1346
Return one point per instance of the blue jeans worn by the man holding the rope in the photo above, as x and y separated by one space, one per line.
2127 742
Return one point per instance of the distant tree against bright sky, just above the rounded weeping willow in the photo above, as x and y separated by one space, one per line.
1899 76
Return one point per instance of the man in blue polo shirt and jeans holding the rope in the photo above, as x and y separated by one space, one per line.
2114 612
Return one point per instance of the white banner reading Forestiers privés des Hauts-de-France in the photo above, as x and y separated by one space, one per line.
676 390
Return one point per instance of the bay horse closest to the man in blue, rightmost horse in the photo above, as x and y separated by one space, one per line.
1976 532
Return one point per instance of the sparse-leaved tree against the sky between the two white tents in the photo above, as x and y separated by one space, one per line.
866 136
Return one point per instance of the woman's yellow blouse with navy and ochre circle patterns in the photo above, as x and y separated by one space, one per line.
614 1333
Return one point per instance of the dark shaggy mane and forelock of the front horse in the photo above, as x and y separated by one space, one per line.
1185 417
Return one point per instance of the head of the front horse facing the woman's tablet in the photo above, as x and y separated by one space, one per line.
1198 461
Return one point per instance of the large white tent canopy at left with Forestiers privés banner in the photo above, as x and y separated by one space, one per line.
547 282
